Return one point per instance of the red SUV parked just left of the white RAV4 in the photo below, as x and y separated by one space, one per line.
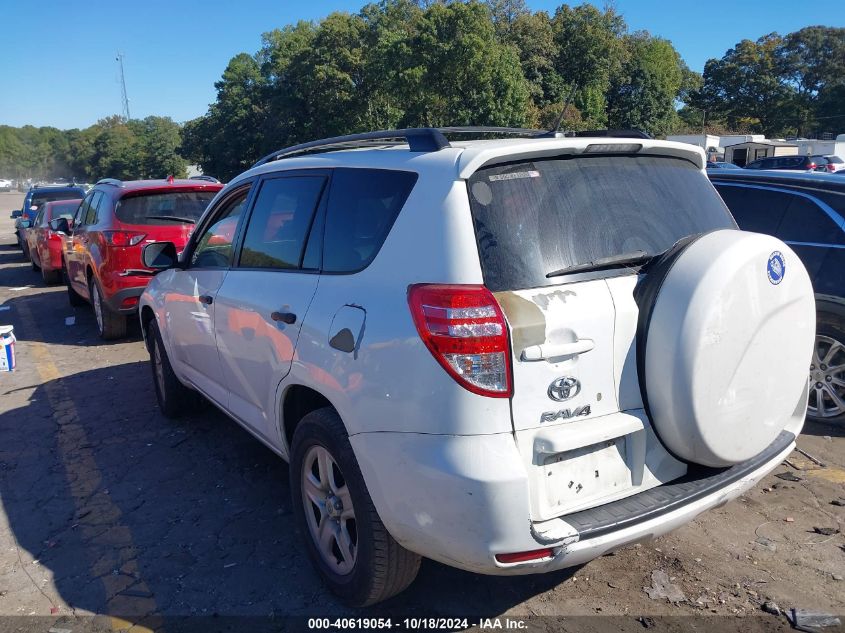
115 221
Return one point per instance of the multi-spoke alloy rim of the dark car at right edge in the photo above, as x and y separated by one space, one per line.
827 379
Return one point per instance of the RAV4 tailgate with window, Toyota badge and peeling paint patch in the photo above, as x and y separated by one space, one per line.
562 241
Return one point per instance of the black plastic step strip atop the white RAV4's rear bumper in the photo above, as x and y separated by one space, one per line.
652 503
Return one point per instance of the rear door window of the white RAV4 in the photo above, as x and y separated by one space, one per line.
280 221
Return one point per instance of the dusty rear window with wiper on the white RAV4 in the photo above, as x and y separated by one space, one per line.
532 218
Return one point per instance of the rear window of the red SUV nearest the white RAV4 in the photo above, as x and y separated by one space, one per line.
177 207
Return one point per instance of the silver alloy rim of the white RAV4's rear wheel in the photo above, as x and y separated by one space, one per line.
329 511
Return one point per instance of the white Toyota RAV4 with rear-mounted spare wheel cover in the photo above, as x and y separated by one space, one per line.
510 356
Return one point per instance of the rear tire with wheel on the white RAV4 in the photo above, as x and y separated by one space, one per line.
379 568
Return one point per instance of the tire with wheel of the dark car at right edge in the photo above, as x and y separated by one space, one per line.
828 352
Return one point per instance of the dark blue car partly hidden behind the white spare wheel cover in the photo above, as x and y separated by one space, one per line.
808 213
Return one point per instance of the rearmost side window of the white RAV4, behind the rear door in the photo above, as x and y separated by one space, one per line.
363 205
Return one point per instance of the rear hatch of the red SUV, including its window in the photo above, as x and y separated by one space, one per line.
155 215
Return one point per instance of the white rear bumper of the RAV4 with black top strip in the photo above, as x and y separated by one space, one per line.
463 499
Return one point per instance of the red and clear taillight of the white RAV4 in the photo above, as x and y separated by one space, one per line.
464 328
